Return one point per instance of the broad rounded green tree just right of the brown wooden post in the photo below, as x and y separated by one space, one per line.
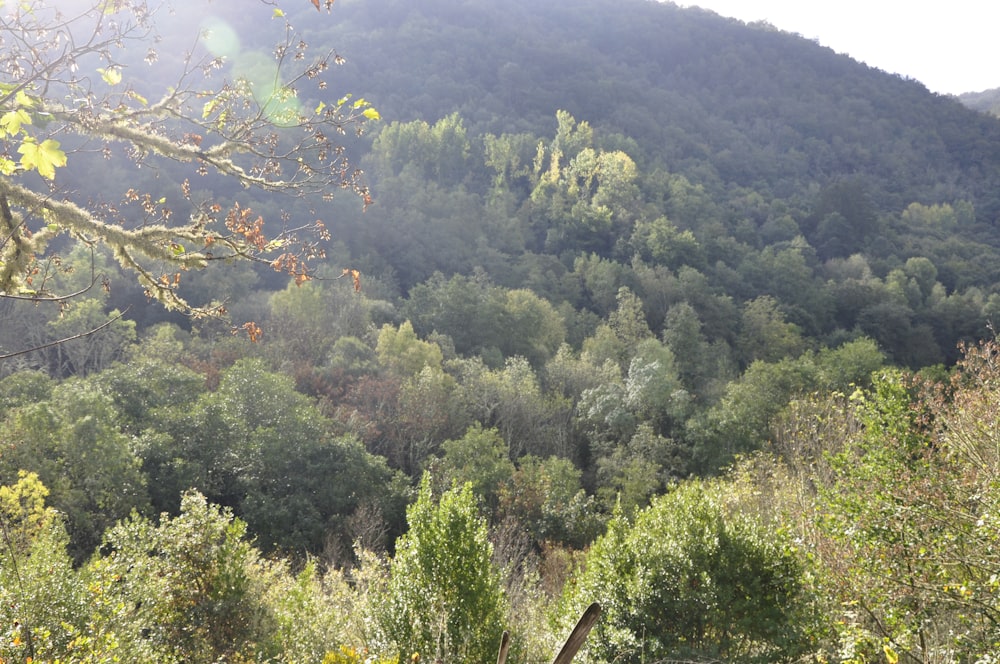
691 578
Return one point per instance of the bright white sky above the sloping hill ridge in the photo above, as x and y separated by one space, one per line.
950 46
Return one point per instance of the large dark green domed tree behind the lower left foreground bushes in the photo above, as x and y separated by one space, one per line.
261 448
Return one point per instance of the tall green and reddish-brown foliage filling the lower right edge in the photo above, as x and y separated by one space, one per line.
905 546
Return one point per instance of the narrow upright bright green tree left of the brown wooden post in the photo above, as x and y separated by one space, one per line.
445 599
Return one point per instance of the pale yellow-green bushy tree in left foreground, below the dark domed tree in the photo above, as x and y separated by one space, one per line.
191 589
